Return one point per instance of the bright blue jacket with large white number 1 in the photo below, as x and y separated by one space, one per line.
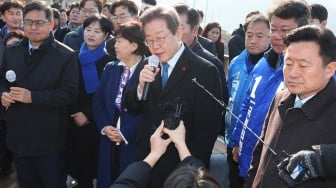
266 81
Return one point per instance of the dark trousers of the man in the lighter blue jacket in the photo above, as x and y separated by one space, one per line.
235 180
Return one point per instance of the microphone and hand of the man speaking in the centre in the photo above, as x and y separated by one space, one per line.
147 75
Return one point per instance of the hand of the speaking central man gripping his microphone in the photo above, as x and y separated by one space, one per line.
147 74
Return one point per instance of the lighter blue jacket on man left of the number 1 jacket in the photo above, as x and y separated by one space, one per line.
238 82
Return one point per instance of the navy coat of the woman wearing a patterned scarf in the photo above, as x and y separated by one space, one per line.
104 113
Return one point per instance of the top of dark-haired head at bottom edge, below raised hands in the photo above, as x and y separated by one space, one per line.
191 177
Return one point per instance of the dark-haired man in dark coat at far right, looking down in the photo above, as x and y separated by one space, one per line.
301 119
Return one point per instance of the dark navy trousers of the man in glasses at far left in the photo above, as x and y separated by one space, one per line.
41 171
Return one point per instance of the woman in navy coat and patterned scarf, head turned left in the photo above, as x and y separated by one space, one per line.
117 127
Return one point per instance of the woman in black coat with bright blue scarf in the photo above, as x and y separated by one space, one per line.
82 143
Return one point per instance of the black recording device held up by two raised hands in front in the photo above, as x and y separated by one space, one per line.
173 111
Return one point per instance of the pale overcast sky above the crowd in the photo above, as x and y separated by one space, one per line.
229 13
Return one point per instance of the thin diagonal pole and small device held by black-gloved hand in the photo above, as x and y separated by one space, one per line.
298 170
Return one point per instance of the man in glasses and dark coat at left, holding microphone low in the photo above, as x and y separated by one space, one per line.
37 103
